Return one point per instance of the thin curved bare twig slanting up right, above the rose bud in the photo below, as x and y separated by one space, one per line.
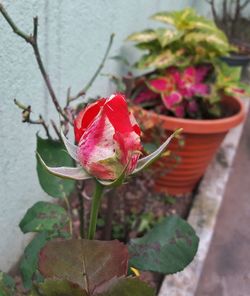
98 70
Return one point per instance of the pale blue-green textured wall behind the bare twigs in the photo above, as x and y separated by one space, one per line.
72 36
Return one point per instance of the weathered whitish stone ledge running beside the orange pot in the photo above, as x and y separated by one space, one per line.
203 215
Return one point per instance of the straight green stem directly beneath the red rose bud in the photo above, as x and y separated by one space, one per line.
94 209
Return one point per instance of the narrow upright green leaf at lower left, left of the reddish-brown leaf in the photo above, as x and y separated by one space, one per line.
29 261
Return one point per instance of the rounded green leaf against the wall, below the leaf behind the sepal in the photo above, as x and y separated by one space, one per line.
44 216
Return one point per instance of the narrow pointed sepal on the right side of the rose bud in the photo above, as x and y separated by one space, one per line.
151 158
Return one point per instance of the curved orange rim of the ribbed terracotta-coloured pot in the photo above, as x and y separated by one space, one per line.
203 126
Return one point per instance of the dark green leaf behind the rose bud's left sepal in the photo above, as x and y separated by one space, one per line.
54 154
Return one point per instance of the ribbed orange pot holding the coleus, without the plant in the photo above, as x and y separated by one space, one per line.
201 140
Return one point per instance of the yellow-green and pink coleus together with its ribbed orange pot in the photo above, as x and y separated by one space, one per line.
188 87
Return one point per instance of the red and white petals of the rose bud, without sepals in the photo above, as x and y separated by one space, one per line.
108 138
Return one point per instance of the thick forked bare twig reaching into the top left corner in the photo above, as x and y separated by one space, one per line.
32 40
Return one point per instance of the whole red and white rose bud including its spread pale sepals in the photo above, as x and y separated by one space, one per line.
108 144
